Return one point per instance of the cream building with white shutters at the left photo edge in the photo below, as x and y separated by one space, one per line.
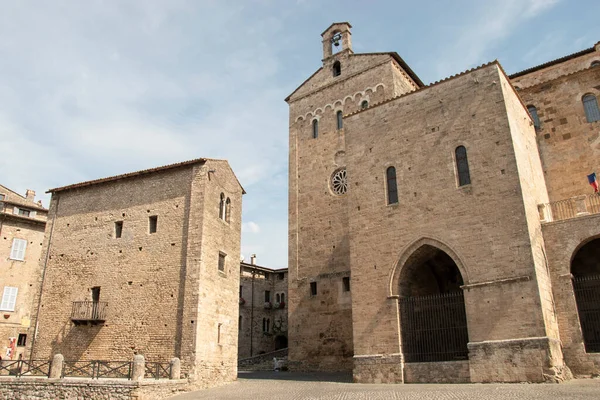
22 222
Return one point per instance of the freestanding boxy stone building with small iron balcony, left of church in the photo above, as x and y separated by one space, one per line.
145 263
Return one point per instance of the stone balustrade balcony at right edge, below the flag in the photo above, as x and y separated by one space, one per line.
569 208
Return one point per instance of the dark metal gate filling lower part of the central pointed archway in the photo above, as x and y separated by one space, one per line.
434 328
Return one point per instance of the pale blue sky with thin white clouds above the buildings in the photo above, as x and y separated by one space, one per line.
95 88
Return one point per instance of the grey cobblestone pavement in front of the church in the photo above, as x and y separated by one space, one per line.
288 386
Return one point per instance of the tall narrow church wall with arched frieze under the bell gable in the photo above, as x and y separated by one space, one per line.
321 332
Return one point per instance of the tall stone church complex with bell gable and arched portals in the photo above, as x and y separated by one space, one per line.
444 232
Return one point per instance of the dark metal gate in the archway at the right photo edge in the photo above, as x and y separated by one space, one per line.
587 296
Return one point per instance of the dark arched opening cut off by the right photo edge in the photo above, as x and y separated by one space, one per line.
585 268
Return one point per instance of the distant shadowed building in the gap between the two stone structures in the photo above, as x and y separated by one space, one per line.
263 309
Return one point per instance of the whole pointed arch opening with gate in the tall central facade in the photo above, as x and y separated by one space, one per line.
433 319
